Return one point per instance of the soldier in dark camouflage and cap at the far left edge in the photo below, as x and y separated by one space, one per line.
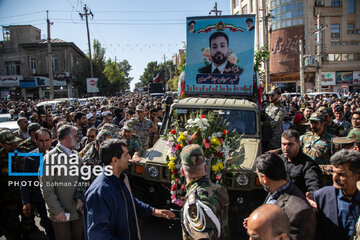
10 201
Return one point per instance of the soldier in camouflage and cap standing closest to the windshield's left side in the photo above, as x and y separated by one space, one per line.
143 126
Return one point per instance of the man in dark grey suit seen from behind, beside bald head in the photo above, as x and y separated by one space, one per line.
273 176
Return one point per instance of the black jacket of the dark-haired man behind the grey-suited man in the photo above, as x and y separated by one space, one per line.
304 172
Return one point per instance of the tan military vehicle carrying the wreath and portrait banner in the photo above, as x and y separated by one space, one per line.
150 178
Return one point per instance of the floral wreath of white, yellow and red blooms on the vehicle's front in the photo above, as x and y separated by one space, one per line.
209 131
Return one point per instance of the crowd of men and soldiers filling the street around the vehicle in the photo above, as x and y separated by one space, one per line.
300 138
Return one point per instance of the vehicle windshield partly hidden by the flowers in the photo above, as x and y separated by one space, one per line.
241 120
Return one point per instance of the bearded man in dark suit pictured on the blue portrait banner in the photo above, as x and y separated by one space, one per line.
219 51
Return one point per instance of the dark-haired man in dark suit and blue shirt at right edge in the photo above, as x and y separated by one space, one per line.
339 205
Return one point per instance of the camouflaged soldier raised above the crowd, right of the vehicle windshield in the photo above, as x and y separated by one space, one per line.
274 115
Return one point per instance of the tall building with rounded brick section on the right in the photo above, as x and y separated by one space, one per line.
334 57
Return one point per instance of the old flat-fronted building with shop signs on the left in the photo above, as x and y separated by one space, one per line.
24 65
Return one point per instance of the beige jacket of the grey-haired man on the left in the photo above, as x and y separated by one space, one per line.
59 181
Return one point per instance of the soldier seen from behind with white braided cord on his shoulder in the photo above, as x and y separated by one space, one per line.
205 212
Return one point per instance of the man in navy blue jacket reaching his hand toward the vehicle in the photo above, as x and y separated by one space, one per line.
110 210
